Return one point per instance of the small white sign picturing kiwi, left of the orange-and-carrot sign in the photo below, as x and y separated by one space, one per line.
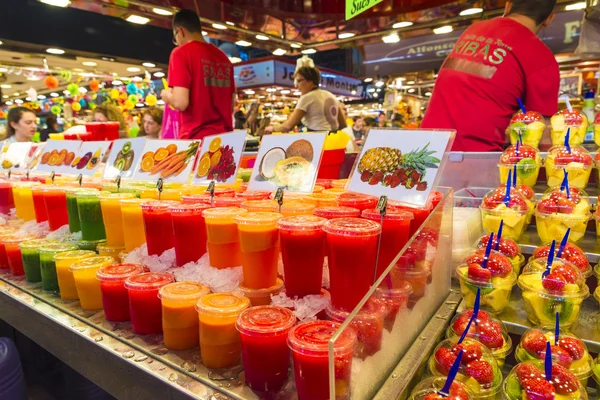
124 158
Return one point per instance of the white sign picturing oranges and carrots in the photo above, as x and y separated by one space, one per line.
171 160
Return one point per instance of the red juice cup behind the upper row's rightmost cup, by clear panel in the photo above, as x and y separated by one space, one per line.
394 234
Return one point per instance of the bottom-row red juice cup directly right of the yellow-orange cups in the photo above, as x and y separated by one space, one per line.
115 297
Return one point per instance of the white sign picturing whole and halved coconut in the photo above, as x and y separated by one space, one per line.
288 161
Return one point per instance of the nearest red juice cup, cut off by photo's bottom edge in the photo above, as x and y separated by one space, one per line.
309 343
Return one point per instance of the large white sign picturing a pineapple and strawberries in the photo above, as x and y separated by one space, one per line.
402 164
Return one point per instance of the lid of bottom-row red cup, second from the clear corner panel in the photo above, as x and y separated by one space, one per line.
265 320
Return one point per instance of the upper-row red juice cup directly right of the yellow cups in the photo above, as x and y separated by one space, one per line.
158 226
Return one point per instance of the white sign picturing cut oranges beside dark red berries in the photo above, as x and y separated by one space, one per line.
219 158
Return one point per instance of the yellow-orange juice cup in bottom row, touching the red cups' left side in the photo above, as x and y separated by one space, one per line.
86 282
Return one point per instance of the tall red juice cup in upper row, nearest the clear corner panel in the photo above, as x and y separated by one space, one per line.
352 248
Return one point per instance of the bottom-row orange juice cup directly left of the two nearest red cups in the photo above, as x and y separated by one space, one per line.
220 344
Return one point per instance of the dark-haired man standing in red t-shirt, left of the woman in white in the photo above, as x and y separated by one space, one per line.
201 81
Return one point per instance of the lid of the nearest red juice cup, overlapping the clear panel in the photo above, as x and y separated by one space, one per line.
314 336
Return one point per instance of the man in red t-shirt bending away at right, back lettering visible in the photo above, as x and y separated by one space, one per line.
493 64
